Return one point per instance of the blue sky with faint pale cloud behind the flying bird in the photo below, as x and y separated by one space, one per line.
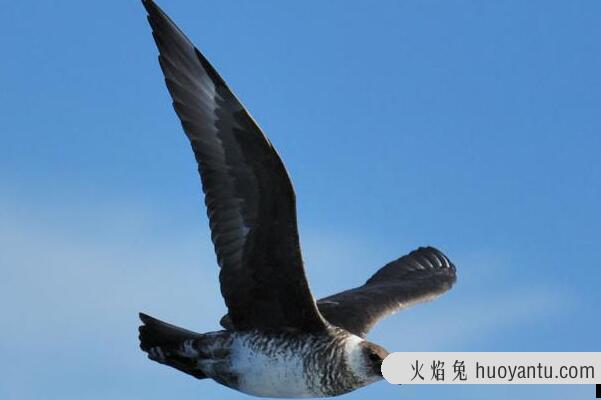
471 126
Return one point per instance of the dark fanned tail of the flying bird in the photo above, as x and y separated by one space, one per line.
169 344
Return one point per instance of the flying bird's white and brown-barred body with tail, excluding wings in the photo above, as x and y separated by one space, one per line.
270 364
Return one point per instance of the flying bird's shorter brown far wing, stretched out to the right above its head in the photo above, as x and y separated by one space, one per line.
417 277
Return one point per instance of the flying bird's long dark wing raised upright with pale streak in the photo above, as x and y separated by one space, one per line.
249 197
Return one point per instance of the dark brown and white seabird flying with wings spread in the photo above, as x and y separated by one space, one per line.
276 339
